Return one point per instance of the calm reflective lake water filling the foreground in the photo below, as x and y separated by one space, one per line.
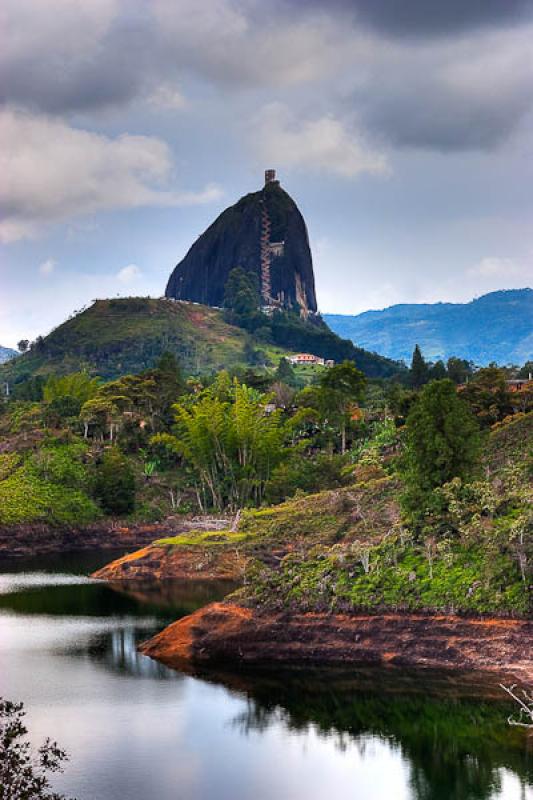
136 731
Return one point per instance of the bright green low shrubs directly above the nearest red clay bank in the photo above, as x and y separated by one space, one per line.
398 575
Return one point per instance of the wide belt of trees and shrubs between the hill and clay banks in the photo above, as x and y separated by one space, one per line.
370 493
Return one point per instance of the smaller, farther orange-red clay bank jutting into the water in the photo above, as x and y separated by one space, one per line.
178 563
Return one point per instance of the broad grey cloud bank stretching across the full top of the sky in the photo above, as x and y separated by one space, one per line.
447 76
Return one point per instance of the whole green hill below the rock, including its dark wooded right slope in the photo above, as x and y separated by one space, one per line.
120 336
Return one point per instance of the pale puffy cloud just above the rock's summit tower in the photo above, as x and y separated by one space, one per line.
322 144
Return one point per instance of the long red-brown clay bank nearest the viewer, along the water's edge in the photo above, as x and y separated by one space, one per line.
226 633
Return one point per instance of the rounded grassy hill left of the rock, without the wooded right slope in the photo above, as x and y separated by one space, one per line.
115 337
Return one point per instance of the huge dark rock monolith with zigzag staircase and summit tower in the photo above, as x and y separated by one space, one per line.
263 233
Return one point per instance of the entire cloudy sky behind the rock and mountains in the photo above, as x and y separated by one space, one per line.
403 130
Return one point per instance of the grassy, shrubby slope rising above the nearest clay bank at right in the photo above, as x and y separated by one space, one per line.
352 550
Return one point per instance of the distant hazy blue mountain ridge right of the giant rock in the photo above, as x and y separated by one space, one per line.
495 327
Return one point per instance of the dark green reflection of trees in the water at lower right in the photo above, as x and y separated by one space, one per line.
456 742
